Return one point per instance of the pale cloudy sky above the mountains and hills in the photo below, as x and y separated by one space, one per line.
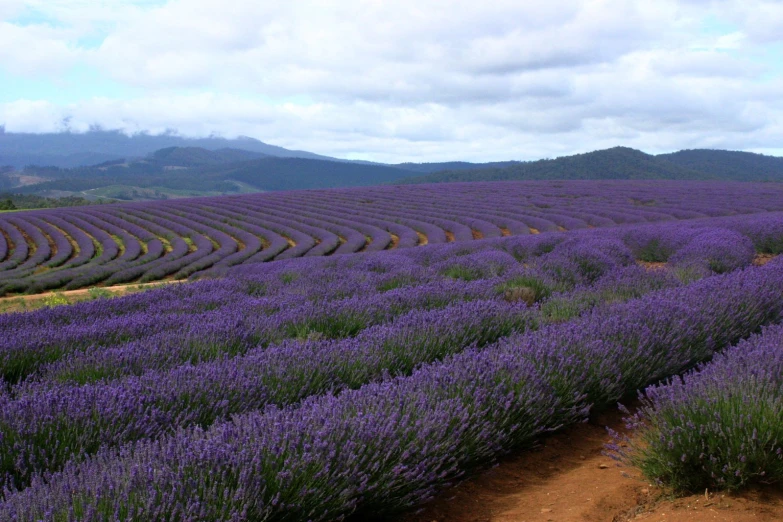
408 80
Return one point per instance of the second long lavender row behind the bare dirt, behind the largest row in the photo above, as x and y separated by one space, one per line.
42 430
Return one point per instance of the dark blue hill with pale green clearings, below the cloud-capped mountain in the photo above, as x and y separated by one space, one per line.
193 171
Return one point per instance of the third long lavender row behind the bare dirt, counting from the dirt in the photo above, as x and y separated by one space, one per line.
133 342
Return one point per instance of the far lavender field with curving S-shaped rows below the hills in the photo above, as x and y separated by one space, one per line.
141 242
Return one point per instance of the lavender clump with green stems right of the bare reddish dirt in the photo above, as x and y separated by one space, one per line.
718 427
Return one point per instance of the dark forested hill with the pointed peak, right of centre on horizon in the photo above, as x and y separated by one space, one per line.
615 163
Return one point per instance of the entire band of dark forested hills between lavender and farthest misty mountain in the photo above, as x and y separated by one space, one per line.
174 172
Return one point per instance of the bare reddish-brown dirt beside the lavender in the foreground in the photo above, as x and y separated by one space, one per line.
568 479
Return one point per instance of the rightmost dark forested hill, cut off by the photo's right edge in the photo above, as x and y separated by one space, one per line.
727 164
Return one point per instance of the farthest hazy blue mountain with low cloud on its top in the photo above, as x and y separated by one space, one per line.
72 149
